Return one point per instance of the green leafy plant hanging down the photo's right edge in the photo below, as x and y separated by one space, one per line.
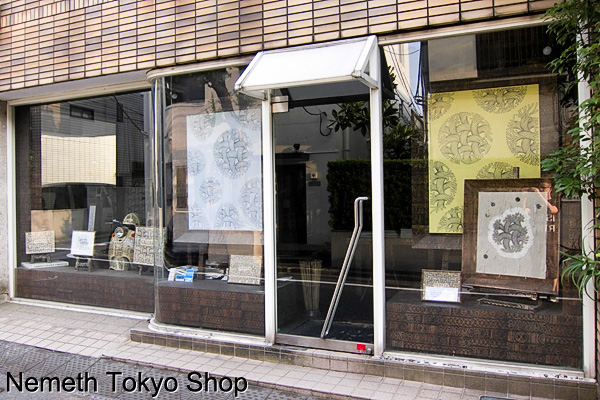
576 165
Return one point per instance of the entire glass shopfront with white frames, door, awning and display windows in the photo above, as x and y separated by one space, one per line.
385 198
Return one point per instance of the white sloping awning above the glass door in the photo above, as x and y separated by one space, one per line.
324 70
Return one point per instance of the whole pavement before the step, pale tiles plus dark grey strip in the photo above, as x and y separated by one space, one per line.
42 341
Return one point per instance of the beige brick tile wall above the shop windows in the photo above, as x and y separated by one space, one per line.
50 41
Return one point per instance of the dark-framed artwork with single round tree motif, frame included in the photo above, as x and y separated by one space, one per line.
510 238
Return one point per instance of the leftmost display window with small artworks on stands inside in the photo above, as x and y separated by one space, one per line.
86 182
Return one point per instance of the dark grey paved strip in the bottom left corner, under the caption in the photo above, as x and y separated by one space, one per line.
75 376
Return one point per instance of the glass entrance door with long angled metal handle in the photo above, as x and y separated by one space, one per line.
319 174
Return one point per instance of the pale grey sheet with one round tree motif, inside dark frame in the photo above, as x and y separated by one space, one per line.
511 233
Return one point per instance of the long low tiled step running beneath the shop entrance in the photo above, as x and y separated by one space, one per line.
450 375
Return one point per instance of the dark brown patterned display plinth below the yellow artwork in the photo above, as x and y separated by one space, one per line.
469 329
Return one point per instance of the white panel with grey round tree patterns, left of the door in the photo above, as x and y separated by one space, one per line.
224 171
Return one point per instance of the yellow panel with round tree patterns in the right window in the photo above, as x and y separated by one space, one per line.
478 134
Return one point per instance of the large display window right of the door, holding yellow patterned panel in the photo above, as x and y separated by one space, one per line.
490 120
